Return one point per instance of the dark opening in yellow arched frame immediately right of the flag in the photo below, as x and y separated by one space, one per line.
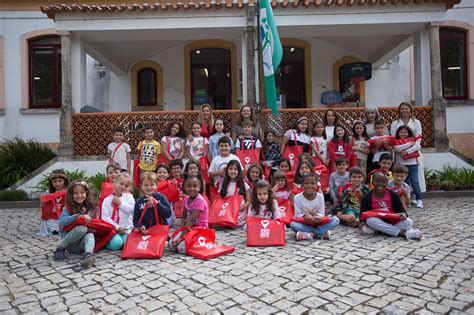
290 78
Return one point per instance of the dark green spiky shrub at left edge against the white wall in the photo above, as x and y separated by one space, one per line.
18 158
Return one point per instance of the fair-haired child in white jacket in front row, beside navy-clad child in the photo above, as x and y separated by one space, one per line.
117 209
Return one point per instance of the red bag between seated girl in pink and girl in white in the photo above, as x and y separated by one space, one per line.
225 211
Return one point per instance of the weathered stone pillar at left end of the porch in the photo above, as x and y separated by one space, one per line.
65 118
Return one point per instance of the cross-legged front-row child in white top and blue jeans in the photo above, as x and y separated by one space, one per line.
310 205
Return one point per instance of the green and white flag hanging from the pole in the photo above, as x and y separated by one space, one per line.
271 52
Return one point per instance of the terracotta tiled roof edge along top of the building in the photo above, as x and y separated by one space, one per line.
52 9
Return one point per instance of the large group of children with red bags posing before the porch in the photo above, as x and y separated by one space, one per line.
214 171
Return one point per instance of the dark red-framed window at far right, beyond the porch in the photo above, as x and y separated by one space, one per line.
453 52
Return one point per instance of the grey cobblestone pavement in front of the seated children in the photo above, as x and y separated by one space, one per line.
349 273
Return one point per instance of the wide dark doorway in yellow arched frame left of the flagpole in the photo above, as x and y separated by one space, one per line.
211 78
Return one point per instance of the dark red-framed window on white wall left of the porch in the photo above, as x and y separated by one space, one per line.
45 72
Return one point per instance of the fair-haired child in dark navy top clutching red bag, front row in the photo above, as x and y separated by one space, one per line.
146 204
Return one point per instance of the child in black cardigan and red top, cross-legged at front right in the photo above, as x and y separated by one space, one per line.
382 199
